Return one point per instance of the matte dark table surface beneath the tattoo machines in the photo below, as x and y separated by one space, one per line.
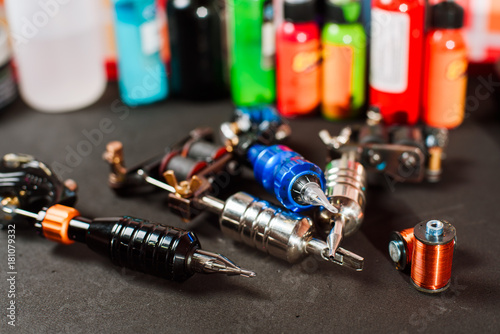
71 289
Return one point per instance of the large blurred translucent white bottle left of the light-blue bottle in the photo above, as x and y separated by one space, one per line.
59 52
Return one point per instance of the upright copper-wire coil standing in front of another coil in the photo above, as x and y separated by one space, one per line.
432 260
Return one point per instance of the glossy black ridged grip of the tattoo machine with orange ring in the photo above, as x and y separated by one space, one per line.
144 246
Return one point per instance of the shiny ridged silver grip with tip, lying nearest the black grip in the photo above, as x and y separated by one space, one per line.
279 233
